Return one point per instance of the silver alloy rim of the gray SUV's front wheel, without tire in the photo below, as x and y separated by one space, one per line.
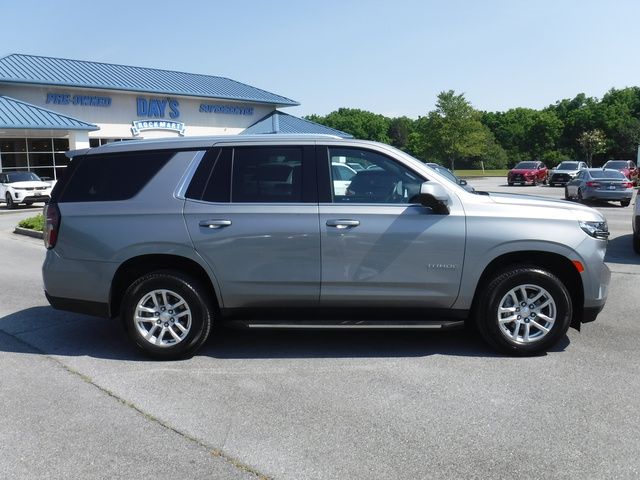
526 314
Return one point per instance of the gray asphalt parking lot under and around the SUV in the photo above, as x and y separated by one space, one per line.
79 402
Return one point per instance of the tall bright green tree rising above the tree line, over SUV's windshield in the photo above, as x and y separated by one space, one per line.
453 130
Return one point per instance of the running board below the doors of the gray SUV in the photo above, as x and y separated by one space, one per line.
359 324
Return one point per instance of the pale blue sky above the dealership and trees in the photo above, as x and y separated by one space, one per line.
391 58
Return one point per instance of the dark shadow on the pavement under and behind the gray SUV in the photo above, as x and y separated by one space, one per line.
51 332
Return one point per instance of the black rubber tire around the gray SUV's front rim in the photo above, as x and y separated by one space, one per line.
496 291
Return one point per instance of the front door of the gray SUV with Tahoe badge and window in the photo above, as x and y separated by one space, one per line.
379 248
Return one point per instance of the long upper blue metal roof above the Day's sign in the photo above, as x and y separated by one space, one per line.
37 70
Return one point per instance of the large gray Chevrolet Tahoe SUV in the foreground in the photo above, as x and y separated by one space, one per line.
177 236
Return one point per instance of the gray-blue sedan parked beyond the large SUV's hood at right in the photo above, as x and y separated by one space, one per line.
600 184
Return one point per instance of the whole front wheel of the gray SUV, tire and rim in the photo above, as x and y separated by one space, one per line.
524 310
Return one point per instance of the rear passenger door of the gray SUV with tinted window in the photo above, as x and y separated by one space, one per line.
252 214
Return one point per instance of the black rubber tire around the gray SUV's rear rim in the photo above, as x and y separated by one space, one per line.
197 299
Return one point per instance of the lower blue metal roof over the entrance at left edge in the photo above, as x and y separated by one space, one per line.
17 114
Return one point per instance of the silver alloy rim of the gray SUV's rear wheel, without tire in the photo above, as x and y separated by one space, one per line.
163 318
